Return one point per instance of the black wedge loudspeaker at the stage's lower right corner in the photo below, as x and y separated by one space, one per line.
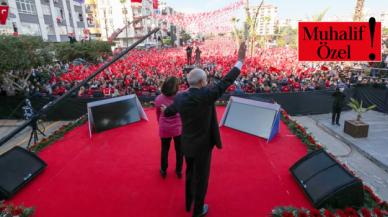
326 182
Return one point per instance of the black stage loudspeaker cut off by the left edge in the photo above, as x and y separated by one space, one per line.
17 167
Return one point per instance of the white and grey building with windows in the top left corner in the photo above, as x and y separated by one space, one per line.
53 20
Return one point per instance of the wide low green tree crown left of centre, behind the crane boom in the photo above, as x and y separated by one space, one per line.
91 51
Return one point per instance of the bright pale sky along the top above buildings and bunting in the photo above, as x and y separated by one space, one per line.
287 9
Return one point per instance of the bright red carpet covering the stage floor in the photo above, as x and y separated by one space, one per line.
116 173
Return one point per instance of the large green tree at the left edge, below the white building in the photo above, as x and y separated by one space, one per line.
20 54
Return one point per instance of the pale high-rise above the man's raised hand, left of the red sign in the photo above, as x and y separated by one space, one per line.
267 19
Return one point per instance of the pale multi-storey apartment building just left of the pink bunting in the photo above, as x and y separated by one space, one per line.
111 15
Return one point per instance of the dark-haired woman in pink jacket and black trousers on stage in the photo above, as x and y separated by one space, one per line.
170 127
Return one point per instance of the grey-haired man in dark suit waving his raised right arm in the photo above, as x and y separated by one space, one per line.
200 131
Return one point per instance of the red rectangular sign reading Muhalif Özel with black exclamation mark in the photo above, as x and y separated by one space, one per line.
339 41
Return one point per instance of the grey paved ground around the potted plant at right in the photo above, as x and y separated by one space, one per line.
375 146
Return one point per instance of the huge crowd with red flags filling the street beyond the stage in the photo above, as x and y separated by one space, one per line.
142 72
